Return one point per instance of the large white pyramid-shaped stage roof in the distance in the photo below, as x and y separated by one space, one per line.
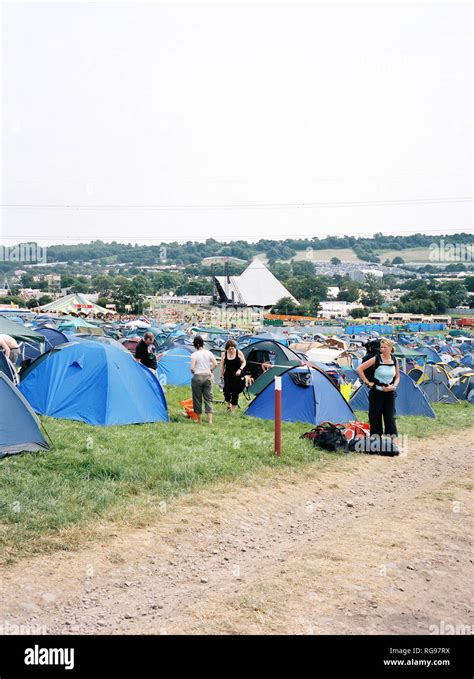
256 286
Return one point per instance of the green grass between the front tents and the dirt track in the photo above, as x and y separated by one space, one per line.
122 475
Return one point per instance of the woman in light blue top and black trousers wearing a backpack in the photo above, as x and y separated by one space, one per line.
382 388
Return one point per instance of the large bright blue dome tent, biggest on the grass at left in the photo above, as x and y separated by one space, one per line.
95 383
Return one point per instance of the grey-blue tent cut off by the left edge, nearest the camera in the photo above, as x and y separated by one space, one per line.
19 427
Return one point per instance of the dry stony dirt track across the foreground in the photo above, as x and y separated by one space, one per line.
375 546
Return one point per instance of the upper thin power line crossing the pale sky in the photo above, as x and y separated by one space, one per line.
239 206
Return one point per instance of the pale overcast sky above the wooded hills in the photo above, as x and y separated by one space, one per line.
277 105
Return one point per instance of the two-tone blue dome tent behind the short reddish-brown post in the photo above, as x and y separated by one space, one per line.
318 402
